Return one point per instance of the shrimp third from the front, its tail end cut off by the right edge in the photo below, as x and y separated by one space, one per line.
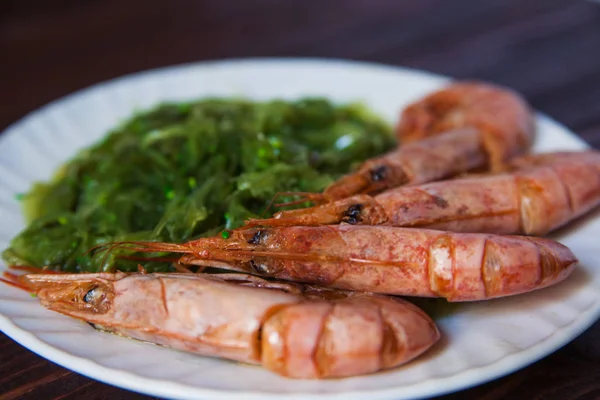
537 194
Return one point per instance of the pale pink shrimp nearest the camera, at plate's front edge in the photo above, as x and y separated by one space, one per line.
298 331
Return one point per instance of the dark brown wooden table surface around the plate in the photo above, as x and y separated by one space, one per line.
547 49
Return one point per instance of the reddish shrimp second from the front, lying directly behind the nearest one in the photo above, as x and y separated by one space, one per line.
384 259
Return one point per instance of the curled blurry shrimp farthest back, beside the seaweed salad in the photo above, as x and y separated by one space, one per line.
464 127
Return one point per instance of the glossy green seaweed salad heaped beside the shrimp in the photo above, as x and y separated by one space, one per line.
187 170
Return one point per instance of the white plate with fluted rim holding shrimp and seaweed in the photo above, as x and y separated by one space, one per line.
481 342
